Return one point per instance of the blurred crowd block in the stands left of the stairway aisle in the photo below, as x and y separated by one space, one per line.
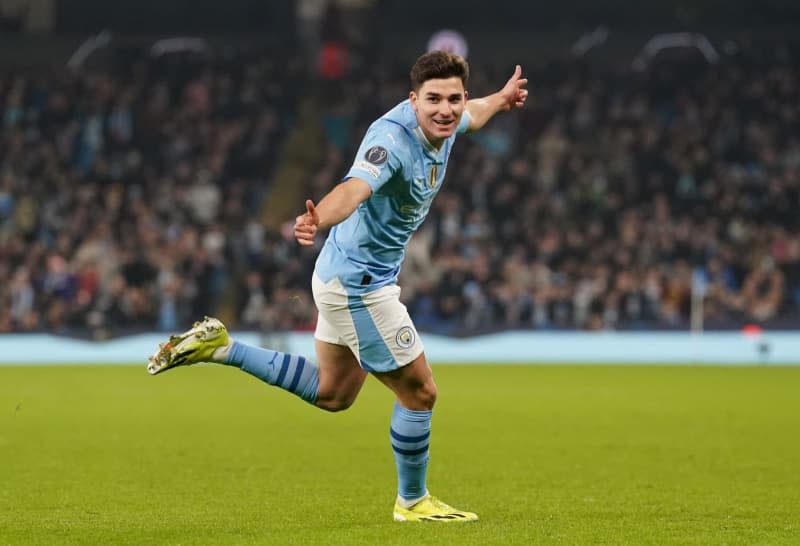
127 193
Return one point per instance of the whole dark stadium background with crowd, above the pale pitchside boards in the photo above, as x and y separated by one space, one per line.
576 254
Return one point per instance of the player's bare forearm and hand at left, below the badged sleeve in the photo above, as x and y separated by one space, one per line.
340 203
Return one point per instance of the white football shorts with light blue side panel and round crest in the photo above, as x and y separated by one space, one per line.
375 326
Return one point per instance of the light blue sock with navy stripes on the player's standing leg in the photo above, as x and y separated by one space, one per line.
410 433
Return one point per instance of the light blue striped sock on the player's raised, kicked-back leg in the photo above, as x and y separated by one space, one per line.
293 373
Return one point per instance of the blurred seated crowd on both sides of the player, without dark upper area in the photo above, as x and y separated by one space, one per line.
618 199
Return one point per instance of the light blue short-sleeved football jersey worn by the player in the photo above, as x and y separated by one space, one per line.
405 173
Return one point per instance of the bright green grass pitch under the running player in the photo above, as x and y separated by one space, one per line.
550 455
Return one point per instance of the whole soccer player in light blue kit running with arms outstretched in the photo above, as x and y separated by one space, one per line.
362 326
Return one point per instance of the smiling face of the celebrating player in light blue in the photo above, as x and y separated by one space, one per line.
439 104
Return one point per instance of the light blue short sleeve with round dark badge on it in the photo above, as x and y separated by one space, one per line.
377 159
